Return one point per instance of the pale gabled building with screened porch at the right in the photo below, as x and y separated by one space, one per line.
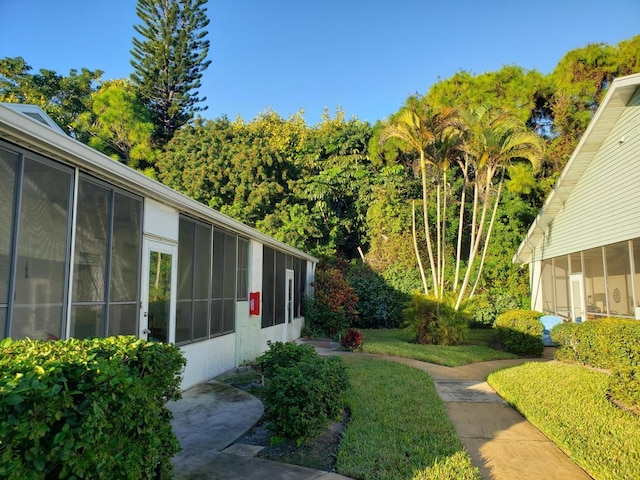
583 250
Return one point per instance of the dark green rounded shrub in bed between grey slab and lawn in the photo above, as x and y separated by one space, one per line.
300 399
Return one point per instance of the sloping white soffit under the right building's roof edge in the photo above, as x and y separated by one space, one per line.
605 118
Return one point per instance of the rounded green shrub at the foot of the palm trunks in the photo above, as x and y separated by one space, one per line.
430 322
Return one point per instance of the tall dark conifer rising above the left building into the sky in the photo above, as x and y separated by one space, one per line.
169 60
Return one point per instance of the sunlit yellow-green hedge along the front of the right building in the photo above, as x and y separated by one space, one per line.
609 343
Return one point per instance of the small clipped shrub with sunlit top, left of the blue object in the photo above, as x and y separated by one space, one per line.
520 332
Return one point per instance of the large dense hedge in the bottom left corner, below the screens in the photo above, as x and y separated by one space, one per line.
87 408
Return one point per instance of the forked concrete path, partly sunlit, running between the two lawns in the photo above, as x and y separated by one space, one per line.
501 442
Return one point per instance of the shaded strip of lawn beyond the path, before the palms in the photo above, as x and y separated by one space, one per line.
396 342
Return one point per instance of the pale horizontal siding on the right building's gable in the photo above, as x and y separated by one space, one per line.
604 206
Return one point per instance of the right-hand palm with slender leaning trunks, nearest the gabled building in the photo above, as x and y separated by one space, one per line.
494 139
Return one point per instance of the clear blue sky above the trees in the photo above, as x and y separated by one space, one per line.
365 56
